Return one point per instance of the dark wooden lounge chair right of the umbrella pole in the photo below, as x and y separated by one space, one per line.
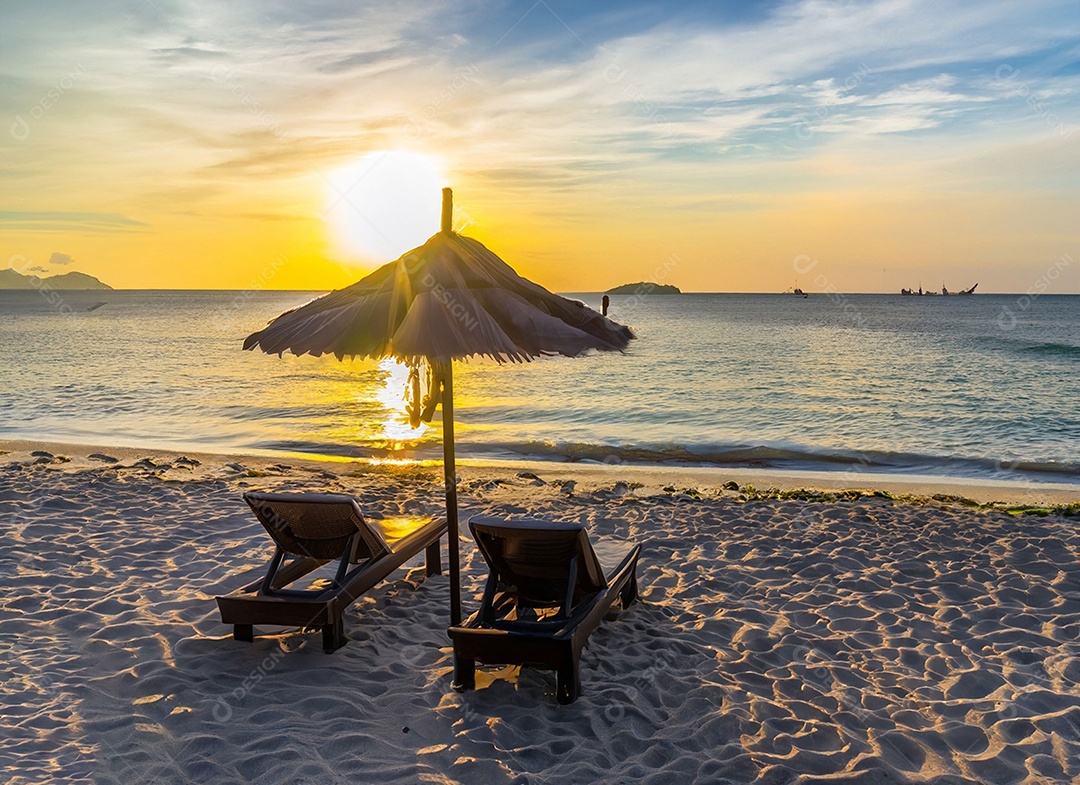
547 591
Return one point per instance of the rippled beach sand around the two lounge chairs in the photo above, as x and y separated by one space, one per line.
777 642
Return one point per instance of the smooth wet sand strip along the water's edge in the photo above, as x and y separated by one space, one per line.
650 478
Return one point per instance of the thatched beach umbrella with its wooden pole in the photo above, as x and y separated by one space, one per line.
449 300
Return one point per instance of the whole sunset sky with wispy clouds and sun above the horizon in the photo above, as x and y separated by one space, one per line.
715 146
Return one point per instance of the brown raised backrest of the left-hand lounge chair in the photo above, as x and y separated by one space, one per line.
317 525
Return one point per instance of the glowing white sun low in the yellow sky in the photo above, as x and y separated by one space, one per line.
385 205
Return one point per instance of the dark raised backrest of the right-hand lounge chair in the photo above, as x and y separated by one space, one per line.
536 559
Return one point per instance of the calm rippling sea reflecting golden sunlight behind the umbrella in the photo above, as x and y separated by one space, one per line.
985 386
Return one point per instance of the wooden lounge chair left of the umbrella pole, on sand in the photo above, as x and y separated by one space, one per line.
315 530
